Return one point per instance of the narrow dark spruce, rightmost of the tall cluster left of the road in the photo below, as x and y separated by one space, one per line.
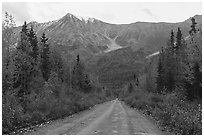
45 61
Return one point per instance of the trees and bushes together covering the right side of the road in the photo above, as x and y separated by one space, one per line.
170 89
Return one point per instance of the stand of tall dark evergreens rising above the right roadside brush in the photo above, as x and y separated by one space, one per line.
180 64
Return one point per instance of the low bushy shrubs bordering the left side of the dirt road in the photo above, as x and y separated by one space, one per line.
49 103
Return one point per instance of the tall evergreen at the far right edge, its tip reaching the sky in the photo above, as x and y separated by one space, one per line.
193 79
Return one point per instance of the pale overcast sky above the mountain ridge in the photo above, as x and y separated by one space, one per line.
117 13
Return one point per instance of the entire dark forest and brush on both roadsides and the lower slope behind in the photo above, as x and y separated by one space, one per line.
40 84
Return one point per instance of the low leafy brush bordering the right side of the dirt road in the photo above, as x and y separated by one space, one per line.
173 114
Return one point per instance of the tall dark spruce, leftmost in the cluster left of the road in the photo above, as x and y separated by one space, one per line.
23 65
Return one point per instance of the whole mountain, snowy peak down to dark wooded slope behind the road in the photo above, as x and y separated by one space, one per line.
112 53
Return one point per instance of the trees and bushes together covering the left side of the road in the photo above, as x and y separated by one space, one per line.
40 83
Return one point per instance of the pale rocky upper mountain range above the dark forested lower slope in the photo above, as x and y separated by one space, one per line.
93 36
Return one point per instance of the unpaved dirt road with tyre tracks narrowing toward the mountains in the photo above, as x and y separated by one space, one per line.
109 118
